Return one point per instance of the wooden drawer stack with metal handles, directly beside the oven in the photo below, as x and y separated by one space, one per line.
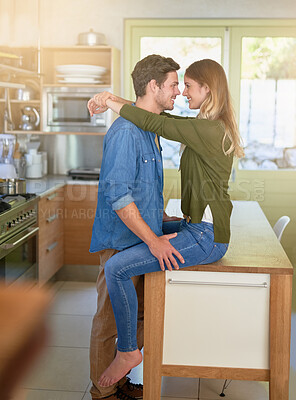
51 234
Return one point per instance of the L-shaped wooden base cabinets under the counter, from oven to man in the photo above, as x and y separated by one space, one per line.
65 218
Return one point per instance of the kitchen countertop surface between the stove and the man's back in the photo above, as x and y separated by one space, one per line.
49 183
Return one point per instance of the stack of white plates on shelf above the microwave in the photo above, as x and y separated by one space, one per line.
79 73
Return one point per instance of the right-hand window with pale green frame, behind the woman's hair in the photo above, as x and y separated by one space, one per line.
267 95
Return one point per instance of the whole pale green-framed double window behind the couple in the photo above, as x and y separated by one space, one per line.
259 57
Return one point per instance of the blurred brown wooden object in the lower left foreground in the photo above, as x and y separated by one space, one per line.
23 332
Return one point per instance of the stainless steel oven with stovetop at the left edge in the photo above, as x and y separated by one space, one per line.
19 239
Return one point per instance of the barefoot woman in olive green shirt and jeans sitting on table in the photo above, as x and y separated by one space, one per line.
209 143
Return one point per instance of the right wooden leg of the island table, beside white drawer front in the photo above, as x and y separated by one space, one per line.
280 336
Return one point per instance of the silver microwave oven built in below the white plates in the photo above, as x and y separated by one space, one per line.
65 110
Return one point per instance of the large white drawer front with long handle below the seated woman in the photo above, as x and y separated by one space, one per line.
217 319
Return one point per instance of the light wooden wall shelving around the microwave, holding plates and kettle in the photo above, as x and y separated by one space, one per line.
40 73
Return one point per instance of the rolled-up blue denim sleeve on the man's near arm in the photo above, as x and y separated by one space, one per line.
120 169
